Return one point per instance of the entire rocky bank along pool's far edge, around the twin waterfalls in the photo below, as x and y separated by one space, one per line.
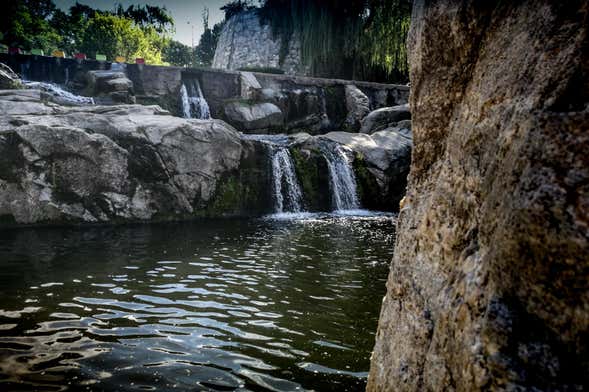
82 164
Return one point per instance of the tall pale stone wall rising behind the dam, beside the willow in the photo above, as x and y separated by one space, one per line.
245 42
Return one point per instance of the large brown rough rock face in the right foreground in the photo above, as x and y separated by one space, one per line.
489 285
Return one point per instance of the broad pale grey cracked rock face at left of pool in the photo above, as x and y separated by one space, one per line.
107 163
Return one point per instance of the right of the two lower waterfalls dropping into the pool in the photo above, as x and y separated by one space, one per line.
341 179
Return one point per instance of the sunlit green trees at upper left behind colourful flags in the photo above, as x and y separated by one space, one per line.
138 31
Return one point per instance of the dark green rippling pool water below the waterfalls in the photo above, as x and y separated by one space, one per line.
223 305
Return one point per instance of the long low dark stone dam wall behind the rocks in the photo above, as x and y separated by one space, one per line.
313 105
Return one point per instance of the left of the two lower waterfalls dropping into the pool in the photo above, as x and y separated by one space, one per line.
287 191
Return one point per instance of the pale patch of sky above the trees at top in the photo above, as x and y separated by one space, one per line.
186 13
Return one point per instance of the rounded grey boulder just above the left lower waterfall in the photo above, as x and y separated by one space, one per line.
258 117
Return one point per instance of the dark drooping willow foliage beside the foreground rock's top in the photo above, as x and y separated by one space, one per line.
356 39
